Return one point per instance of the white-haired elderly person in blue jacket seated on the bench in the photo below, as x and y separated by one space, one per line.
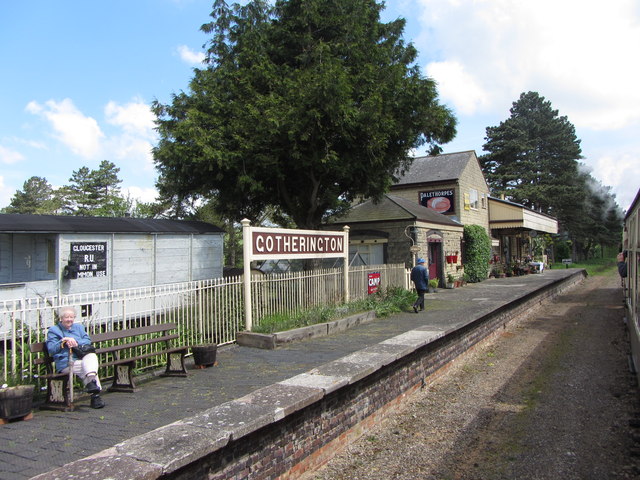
62 338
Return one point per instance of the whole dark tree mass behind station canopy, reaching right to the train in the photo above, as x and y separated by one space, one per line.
533 159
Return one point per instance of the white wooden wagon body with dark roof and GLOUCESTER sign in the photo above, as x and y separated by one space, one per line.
49 255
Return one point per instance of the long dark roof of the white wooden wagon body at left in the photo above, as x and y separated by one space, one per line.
17 223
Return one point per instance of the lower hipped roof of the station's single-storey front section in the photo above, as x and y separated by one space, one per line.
392 207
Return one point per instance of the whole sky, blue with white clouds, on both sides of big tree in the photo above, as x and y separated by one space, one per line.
78 78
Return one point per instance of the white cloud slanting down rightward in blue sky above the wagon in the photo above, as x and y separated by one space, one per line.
77 131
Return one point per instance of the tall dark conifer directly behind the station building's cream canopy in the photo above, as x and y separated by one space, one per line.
533 157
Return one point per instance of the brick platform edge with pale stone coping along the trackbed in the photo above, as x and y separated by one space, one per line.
292 427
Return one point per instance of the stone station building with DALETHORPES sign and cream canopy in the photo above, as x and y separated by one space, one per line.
425 211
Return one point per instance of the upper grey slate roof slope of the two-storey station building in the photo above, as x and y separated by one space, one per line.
436 168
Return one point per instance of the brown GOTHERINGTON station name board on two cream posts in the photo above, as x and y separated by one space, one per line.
262 243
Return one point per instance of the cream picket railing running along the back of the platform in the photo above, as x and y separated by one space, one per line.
210 311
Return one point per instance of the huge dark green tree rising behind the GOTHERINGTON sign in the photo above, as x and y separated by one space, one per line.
304 105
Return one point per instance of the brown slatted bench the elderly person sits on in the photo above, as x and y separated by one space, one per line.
115 349
